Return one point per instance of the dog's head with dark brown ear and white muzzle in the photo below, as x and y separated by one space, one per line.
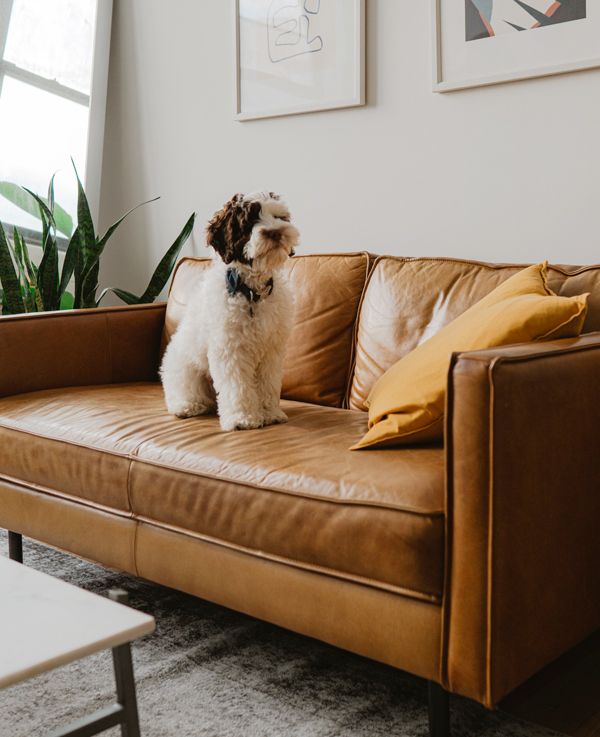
253 229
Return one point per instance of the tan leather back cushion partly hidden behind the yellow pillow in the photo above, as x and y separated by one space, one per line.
407 300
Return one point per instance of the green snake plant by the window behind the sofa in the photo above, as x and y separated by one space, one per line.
27 287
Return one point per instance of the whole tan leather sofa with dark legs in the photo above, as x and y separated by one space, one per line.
471 565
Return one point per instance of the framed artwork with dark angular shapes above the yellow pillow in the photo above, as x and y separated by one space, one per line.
482 42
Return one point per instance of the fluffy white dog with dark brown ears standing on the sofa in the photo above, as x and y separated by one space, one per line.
227 354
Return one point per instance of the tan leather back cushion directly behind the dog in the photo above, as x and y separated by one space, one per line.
328 289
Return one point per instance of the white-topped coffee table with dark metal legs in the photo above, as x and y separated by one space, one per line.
45 622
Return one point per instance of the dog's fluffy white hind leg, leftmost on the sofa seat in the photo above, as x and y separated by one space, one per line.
186 382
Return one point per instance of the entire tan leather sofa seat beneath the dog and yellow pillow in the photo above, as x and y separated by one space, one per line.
292 492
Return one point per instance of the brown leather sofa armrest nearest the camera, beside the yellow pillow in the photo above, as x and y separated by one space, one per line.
523 502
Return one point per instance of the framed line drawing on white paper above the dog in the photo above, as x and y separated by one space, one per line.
298 56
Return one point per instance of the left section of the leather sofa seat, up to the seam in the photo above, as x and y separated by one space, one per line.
77 442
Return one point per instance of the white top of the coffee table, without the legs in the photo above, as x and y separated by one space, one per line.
45 622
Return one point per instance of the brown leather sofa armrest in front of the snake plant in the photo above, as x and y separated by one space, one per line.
80 347
